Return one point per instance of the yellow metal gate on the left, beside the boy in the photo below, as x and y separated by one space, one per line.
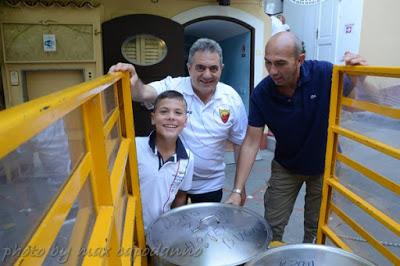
89 212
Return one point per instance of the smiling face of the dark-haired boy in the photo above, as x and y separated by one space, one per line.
169 117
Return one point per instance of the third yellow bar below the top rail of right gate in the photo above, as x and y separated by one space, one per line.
381 180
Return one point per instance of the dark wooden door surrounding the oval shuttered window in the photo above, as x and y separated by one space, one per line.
116 31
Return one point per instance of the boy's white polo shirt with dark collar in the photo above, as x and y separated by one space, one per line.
159 184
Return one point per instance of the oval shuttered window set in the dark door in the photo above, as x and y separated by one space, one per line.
144 49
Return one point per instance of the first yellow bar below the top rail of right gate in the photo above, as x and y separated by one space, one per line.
372 107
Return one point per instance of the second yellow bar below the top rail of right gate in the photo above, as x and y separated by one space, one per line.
372 143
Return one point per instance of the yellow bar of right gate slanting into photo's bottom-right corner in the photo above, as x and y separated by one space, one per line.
364 234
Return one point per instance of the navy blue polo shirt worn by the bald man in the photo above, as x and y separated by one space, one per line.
300 122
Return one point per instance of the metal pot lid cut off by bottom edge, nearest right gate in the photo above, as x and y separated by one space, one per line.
308 254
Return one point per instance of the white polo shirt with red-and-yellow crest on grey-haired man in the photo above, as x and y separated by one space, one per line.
208 128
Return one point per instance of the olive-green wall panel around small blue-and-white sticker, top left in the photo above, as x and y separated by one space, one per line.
24 42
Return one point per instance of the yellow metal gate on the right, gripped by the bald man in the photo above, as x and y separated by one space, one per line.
360 209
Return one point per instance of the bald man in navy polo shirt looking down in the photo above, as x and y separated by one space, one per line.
293 101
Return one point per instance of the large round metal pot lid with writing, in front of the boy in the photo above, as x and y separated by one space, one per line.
208 234
